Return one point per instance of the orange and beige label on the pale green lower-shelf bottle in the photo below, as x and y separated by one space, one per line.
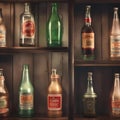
26 101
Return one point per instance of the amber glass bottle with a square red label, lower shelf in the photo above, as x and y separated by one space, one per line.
54 98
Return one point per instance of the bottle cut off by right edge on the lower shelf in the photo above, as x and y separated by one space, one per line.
116 97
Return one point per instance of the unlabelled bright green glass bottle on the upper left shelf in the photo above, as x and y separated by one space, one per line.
54 28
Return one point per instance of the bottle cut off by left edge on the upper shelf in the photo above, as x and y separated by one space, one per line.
2 31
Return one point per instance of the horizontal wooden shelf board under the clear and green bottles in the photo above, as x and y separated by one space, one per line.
12 50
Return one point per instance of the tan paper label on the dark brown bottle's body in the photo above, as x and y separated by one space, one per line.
88 40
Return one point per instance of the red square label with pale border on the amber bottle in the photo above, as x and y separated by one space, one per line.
54 101
